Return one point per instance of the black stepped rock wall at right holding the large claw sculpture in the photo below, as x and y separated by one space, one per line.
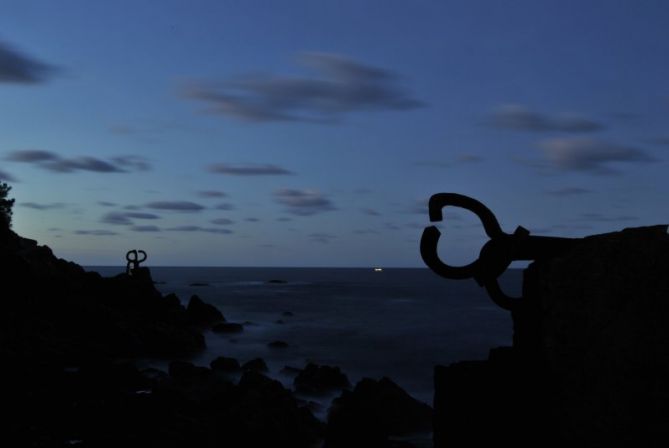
590 361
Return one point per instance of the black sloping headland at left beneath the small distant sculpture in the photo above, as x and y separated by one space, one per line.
55 310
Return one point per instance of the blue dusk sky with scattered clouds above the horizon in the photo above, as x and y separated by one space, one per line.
312 133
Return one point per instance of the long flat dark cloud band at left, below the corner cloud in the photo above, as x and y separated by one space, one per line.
51 161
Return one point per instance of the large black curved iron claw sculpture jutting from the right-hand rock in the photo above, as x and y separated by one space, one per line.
495 256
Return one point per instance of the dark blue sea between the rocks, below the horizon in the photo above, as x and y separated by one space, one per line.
397 323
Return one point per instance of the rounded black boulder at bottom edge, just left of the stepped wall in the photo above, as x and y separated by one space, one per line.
372 412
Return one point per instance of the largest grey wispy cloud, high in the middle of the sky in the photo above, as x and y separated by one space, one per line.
341 86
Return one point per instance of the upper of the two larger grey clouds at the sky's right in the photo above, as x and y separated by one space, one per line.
520 118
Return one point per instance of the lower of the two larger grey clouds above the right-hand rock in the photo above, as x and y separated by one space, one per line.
585 154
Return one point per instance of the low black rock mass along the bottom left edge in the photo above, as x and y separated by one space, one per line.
112 405
